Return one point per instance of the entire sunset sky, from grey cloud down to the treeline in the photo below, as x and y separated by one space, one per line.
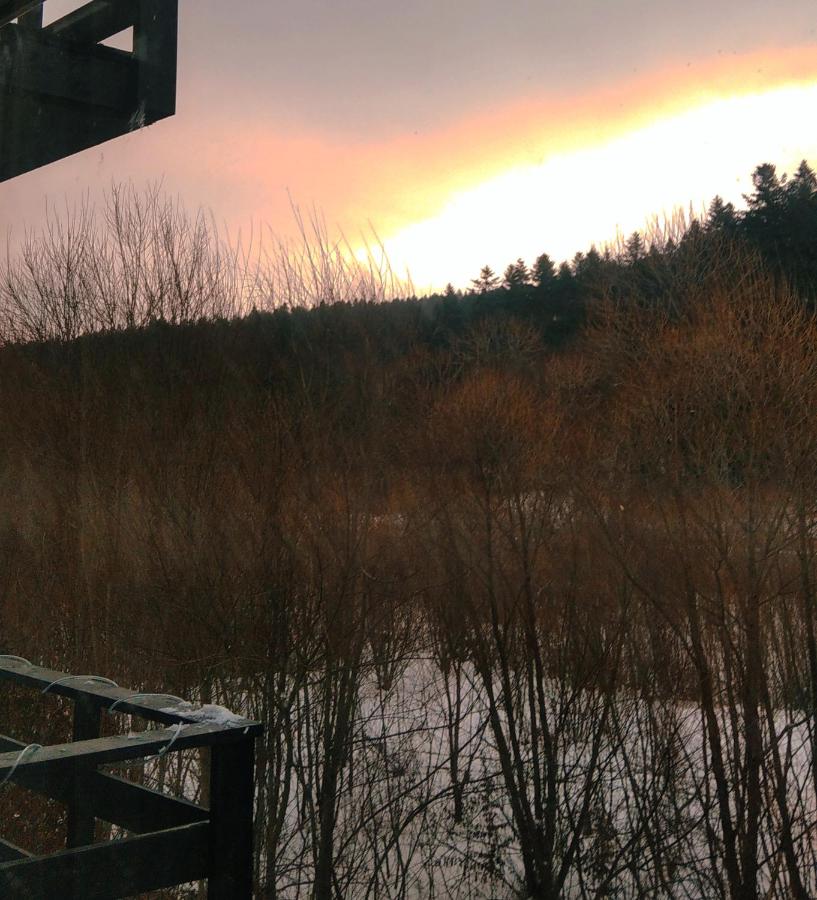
462 133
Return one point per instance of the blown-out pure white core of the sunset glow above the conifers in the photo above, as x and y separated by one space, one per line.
591 194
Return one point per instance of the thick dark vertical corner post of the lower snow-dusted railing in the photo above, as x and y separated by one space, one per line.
231 820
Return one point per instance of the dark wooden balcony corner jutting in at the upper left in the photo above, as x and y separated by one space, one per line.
62 91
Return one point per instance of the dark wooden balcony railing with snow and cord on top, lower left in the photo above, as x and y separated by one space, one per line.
170 841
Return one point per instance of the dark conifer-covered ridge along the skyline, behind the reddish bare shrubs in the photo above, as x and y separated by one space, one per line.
778 227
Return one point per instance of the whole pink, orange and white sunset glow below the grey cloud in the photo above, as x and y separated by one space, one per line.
543 172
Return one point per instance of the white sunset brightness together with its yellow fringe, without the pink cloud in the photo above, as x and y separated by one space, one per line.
611 169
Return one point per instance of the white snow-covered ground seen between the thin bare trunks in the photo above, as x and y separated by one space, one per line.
652 819
